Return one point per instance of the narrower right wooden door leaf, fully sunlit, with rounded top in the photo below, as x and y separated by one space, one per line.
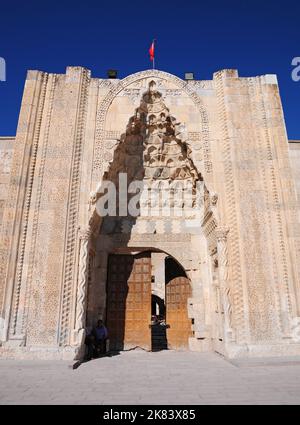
178 290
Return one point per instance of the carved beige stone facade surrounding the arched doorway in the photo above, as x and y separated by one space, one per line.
242 256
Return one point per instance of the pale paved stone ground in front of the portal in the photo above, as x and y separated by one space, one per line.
137 377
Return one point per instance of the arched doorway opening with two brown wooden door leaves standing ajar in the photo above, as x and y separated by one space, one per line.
131 314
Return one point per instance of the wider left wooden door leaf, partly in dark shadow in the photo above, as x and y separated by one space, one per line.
129 301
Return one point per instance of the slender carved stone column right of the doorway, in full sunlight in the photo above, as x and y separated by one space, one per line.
221 234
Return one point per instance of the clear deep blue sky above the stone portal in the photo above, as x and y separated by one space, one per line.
256 37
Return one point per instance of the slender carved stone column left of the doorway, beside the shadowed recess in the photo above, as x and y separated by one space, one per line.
79 332
